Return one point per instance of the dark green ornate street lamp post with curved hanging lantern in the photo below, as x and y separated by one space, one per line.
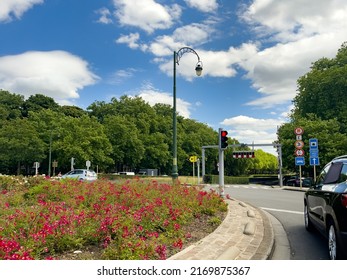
198 69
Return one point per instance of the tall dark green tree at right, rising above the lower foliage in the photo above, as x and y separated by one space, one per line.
322 91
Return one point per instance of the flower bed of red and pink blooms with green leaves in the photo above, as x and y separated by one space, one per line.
129 220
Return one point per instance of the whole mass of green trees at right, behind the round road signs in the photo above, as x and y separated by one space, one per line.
319 108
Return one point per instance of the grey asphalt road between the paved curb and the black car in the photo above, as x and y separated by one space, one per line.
287 206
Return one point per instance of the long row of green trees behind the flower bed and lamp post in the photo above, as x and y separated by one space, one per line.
125 134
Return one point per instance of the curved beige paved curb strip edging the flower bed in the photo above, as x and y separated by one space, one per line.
246 233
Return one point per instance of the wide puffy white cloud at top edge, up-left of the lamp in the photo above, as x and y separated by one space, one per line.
146 14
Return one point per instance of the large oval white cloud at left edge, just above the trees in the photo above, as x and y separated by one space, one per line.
57 74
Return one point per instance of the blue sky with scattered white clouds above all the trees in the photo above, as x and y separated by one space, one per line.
252 52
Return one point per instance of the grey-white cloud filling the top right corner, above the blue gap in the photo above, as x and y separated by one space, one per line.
297 18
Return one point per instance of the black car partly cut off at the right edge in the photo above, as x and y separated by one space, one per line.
325 206
